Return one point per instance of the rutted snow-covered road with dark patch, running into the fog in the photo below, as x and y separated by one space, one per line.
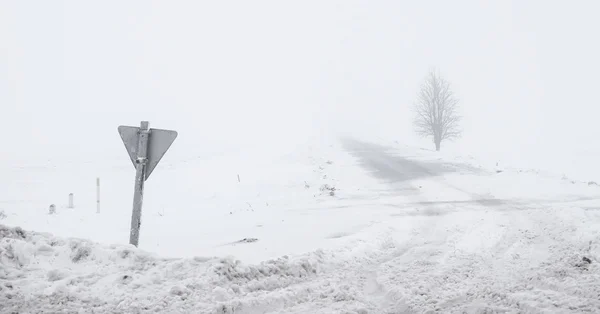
467 252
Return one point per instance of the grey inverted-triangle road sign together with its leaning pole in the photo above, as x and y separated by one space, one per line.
145 147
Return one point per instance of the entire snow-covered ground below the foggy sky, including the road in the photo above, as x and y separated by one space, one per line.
405 231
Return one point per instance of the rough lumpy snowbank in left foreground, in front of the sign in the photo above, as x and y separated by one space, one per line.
43 273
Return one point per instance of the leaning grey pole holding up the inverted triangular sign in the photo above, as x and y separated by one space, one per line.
140 177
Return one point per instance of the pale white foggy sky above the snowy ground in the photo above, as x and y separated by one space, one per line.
226 74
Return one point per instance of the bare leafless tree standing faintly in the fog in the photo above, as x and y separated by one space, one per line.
436 113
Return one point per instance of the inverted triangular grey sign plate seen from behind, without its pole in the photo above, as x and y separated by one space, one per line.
159 142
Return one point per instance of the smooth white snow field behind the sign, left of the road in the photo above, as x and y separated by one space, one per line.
196 204
